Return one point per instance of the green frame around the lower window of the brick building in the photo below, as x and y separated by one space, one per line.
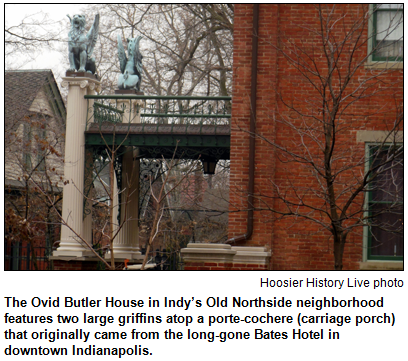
370 149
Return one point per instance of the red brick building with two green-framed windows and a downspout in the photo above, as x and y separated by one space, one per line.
317 115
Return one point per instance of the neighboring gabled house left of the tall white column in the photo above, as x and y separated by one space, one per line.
34 148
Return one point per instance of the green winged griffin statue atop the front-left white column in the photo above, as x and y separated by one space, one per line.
81 46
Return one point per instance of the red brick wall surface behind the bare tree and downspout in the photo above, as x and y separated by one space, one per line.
295 243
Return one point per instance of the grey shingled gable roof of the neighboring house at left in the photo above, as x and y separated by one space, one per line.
21 88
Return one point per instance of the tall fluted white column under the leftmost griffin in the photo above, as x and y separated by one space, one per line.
73 196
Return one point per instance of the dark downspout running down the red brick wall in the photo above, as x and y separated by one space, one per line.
251 170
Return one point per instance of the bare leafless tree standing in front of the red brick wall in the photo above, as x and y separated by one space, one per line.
333 176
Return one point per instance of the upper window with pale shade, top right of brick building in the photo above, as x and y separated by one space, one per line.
388 23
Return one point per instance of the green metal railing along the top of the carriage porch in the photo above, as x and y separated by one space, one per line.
158 109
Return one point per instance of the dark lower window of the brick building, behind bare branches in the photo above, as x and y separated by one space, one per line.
385 205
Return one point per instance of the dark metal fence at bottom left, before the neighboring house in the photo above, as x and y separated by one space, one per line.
19 257
